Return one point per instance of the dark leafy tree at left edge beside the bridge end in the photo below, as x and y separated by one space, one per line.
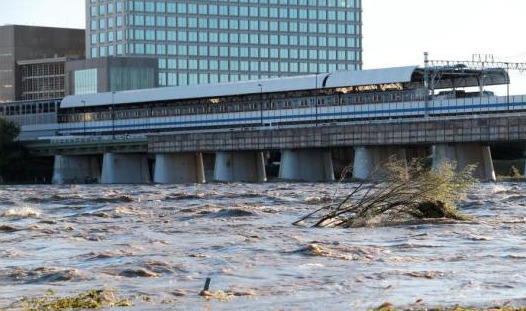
13 155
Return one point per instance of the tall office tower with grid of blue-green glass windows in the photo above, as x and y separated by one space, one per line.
208 41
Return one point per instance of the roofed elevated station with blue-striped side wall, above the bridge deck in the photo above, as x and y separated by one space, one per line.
313 100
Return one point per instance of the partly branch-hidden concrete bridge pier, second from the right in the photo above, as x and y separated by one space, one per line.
367 159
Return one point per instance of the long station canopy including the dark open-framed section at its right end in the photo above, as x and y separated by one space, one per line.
388 79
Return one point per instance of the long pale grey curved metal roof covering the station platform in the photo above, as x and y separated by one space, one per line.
407 74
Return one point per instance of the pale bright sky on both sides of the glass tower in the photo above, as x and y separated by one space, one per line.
396 32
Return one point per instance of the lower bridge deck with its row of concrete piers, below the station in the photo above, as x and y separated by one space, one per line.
307 153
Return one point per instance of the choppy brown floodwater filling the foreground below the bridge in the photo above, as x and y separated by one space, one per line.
158 244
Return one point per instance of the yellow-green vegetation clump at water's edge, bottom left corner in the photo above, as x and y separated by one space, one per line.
92 299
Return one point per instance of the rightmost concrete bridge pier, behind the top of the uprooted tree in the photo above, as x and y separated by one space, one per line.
466 154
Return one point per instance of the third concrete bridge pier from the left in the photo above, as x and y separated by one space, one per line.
179 168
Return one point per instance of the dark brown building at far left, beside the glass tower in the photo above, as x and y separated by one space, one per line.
32 60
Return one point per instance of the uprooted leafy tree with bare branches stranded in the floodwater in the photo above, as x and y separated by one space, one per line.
399 191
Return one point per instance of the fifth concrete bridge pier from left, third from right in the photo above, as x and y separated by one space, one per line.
310 165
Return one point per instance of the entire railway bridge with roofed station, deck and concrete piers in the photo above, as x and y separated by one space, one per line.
310 126
